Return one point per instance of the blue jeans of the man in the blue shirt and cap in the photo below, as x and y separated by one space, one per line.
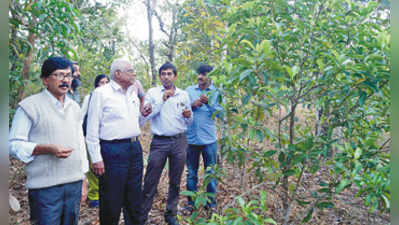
209 155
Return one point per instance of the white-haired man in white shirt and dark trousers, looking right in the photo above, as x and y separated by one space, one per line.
115 153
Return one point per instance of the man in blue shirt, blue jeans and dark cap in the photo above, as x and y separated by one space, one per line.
201 134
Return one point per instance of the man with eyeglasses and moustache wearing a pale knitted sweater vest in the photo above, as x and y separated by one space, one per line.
47 135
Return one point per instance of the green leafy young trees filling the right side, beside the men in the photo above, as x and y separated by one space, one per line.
327 60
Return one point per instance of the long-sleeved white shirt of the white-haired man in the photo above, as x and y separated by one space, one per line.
112 114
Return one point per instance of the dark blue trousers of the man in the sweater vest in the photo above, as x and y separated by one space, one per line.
56 205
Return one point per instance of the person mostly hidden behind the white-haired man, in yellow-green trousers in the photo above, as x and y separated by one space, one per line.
92 195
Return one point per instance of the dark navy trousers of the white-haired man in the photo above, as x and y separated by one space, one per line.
120 185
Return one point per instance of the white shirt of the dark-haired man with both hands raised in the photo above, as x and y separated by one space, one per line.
166 116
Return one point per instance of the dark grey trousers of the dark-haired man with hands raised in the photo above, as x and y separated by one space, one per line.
173 149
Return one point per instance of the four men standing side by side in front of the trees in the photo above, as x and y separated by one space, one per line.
47 135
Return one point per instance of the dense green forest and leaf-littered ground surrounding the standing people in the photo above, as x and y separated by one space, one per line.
305 136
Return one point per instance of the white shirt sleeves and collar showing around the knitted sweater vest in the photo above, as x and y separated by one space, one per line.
19 145
